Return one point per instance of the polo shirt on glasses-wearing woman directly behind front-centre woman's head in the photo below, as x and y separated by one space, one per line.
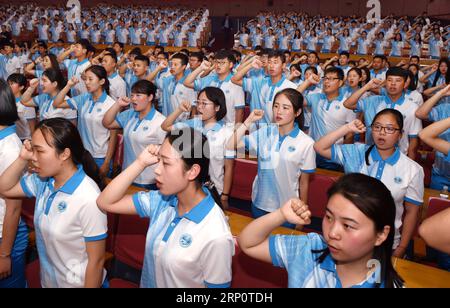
218 137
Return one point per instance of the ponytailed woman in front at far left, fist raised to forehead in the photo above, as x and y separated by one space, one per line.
70 229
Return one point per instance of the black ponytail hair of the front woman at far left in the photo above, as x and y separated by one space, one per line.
61 134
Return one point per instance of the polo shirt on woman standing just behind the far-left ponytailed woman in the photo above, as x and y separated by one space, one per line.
90 116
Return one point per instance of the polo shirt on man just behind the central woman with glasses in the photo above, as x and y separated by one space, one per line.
234 95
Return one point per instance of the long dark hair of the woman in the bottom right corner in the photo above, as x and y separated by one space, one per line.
375 201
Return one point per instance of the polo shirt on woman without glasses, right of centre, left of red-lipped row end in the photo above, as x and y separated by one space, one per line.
281 162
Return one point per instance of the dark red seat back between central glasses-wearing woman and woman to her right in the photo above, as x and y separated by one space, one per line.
243 176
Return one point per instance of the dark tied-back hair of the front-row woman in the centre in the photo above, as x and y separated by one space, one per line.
194 149
